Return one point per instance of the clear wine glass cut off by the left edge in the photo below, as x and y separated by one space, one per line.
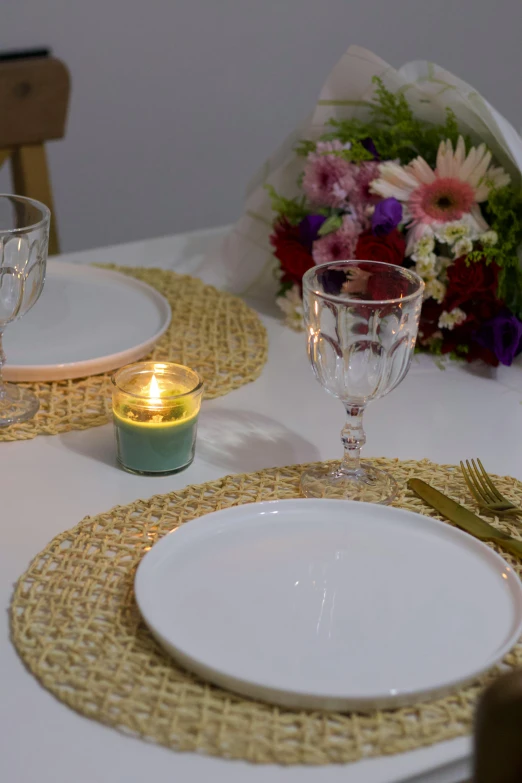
24 236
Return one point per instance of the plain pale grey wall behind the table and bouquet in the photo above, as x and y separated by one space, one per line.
176 102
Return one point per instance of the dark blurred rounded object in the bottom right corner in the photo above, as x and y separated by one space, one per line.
498 732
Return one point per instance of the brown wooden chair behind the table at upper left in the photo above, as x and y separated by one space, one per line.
34 97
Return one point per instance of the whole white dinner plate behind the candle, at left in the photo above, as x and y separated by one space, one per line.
87 321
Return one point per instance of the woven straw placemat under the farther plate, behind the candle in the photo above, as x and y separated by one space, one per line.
211 331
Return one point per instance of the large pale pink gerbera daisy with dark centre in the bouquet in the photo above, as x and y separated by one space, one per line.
450 192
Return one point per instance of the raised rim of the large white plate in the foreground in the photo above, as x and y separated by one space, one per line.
337 702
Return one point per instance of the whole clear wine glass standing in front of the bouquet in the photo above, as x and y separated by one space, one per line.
362 319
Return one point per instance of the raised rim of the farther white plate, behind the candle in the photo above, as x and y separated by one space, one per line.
108 362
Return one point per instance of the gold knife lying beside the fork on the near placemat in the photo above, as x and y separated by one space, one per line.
463 518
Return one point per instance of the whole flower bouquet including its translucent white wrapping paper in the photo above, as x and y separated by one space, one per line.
407 167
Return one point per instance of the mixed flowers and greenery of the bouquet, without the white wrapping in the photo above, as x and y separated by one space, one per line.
406 191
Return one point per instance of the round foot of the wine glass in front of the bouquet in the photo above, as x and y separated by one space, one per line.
367 484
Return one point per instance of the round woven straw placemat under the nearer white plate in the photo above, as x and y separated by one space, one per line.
76 625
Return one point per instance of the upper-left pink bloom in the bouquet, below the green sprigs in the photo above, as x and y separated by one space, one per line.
328 179
